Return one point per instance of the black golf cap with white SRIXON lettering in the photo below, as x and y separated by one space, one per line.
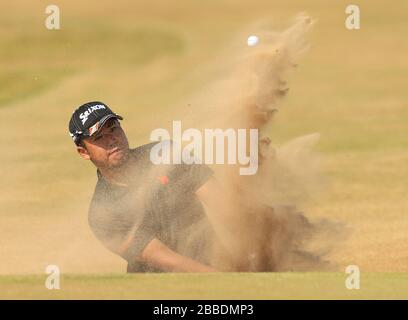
88 119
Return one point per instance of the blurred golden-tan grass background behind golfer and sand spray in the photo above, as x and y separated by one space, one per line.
143 58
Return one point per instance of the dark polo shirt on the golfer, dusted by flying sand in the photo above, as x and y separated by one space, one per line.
160 202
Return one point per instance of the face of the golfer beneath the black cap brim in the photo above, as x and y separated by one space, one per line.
108 148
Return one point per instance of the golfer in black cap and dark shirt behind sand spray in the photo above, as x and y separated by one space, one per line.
148 214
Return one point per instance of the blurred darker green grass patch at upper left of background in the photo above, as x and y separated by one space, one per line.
36 59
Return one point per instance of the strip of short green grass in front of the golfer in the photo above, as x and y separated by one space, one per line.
213 286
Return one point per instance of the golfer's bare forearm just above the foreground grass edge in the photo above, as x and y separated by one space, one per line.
158 254
